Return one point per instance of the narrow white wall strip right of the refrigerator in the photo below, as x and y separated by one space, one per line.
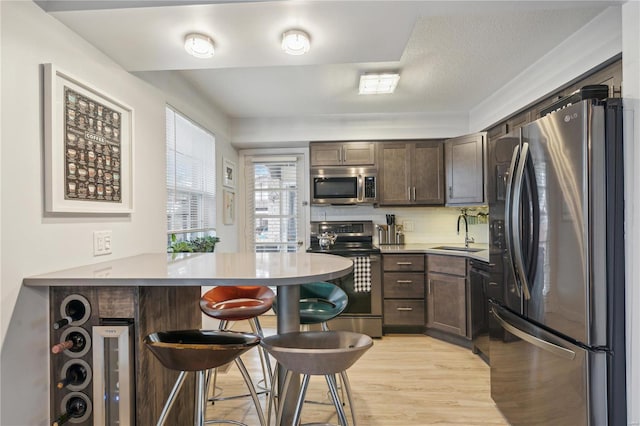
631 95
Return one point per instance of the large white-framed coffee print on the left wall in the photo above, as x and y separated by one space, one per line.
88 147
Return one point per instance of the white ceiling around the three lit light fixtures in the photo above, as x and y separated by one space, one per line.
450 54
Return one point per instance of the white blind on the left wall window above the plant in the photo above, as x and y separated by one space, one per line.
191 178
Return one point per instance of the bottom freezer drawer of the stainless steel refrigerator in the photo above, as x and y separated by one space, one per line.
540 379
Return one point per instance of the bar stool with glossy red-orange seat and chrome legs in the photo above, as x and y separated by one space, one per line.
237 303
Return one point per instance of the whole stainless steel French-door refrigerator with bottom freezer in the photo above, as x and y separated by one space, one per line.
557 243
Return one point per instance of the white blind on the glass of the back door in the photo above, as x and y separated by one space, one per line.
273 202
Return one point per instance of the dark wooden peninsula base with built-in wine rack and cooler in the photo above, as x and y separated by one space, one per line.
99 356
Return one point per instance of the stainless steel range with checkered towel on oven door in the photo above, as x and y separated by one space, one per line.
354 239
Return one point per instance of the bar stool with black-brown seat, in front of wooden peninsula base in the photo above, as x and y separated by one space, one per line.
200 351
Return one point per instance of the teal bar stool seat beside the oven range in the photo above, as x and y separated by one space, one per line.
319 303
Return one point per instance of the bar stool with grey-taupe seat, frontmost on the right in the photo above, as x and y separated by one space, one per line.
325 353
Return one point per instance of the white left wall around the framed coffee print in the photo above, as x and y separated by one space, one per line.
33 242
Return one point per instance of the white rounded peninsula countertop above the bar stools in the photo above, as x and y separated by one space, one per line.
201 269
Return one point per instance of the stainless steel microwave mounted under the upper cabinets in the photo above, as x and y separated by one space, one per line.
344 185
